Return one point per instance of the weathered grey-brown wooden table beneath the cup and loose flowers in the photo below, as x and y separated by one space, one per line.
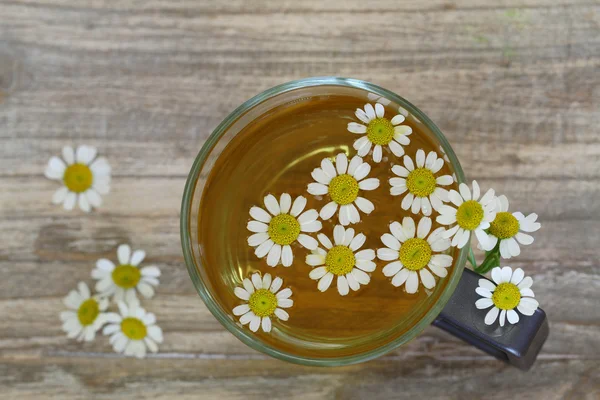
515 85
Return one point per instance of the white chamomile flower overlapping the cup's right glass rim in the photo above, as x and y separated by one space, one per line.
471 215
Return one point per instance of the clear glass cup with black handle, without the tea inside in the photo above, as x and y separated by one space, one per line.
453 306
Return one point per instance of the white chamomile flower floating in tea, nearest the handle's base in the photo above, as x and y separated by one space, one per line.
414 256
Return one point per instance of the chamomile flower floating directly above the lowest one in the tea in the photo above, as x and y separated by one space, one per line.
284 223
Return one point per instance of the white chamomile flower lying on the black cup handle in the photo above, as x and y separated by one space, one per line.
511 290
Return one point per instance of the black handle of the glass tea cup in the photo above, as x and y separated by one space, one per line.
517 344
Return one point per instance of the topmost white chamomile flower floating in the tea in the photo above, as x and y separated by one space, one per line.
380 131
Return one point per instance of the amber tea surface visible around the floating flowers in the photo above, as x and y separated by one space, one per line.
275 154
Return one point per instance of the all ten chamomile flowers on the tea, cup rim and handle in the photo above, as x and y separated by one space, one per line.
413 253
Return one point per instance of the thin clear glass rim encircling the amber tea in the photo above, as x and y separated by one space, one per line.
187 245
